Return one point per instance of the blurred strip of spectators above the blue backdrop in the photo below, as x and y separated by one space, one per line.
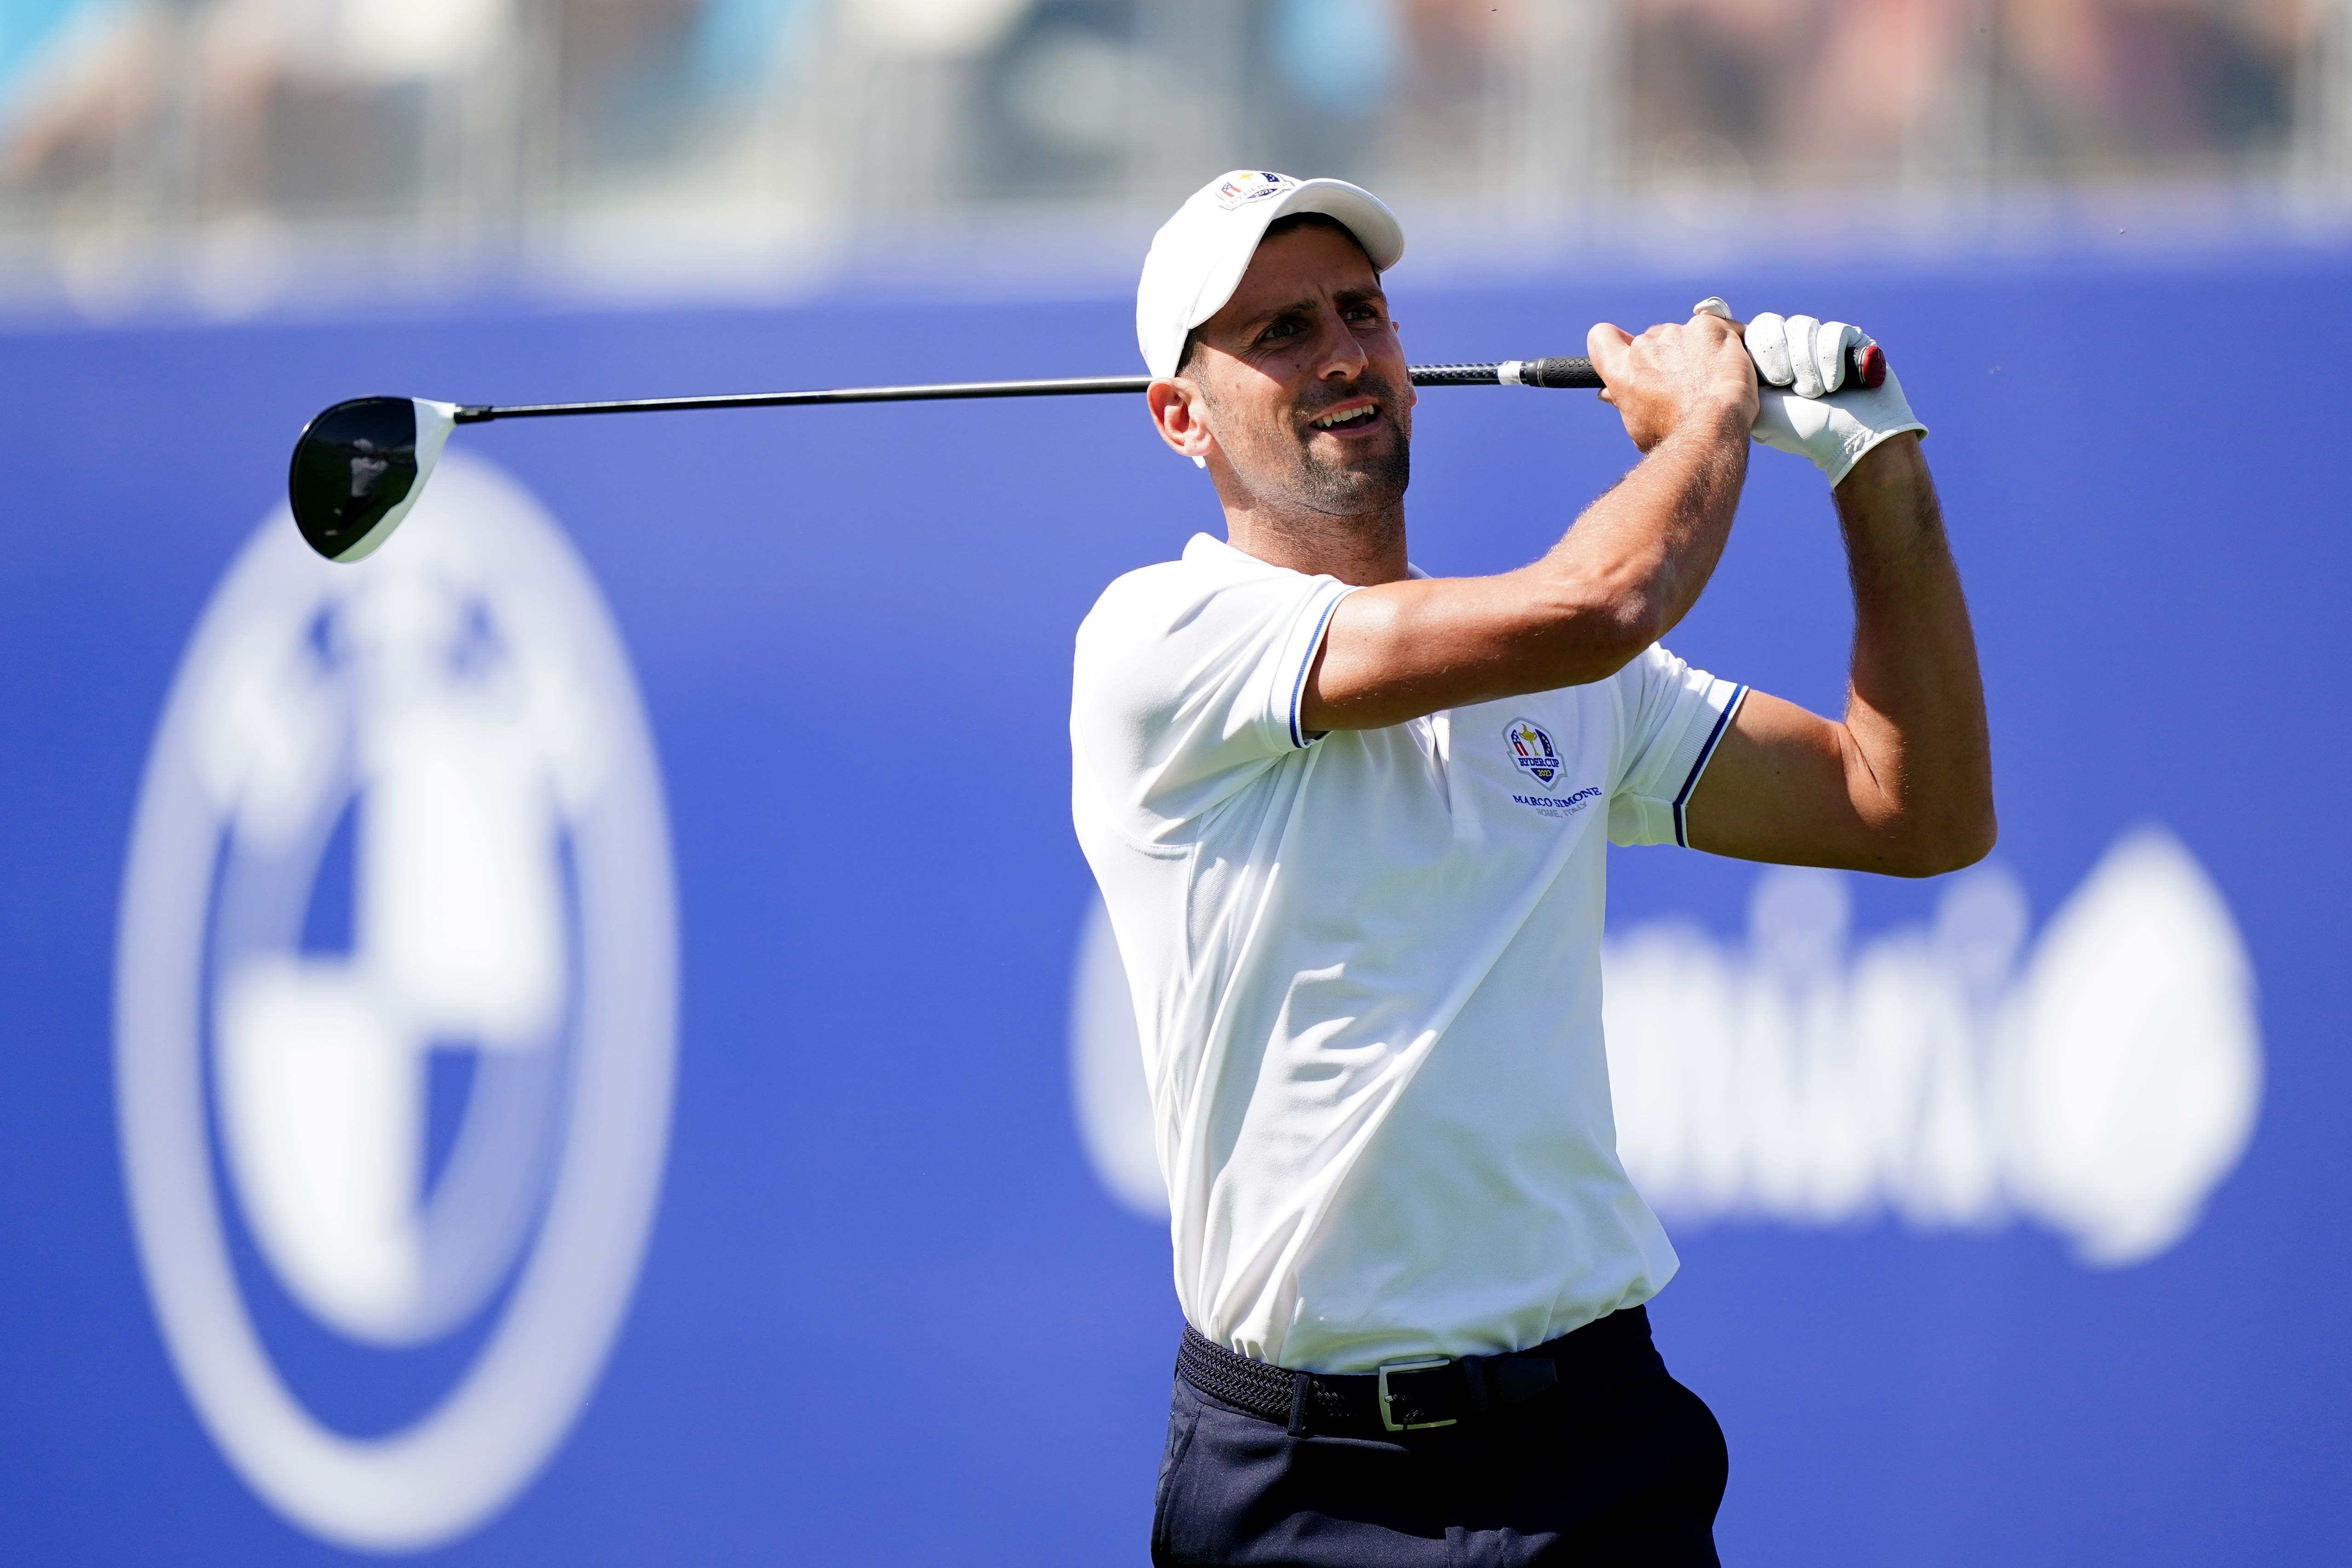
481 114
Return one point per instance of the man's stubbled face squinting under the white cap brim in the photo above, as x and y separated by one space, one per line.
1304 377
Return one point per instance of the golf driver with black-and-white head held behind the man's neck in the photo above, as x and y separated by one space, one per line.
361 467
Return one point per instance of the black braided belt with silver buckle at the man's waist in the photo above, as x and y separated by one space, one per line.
1422 1393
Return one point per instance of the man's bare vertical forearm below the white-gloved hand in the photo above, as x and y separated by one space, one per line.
1916 709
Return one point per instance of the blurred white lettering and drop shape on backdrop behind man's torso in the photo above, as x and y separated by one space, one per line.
2099 1083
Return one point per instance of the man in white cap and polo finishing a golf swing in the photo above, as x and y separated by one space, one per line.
1351 826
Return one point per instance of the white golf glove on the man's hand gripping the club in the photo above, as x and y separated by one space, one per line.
1805 403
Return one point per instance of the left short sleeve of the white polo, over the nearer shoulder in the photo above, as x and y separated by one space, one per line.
1189 681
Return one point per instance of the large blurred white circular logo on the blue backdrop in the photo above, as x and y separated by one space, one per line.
396 1000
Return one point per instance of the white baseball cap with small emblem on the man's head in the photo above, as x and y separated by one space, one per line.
1198 257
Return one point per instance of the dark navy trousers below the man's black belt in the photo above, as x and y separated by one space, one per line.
1626 1473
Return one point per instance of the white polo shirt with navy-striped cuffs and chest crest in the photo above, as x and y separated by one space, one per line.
1368 970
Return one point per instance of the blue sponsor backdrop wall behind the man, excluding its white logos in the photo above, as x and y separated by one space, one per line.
888 1315
